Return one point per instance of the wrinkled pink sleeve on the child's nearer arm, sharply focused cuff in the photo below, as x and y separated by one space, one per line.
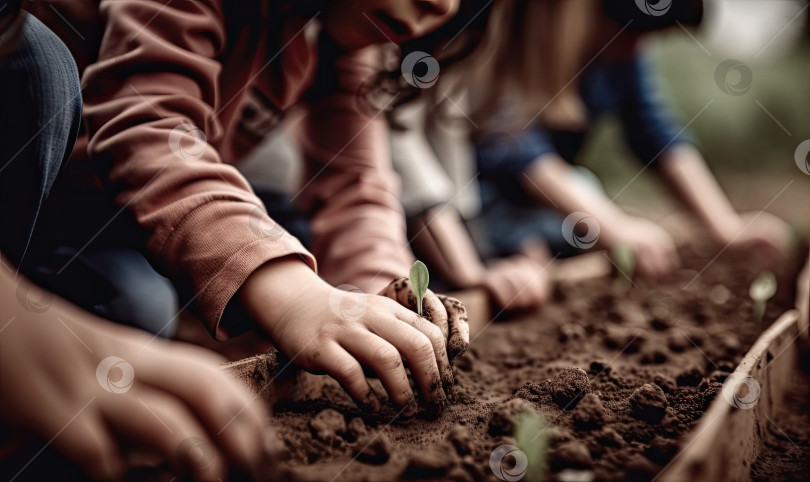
152 102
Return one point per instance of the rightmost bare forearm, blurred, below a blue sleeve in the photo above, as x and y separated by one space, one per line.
690 179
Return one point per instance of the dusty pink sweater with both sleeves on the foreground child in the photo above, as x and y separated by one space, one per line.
163 109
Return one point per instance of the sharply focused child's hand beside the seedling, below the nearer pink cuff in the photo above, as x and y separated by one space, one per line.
323 329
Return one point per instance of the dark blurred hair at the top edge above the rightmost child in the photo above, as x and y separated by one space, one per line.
648 15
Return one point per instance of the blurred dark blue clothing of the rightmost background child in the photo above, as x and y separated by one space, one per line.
624 88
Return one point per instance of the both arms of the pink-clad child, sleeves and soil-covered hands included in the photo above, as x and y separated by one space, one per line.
151 108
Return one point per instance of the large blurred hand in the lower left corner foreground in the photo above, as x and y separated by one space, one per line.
60 384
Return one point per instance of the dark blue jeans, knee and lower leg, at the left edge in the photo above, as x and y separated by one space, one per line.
40 116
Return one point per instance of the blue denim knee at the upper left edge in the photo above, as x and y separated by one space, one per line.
40 114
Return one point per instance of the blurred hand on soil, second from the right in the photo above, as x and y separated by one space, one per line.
654 249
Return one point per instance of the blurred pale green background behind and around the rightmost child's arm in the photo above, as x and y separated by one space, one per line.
749 151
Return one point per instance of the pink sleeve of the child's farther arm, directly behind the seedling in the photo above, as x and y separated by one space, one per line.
351 191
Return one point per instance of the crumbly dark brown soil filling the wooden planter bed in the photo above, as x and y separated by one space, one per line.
620 374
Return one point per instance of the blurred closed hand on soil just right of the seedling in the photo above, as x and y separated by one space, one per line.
517 283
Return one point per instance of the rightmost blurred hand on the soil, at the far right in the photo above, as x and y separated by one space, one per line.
763 235
